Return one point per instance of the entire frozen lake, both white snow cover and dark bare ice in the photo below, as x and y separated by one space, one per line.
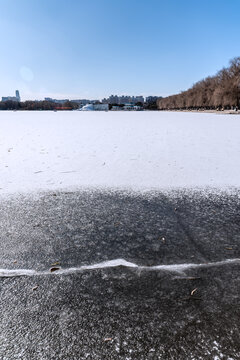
136 276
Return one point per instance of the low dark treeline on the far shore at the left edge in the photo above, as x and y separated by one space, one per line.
37 105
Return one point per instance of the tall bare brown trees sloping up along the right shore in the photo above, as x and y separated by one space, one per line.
221 91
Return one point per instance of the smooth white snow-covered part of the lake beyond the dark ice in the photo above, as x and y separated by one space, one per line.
133 150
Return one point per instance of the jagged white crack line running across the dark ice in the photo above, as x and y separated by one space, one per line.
174 268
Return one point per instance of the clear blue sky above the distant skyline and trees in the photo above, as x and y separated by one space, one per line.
95 48
